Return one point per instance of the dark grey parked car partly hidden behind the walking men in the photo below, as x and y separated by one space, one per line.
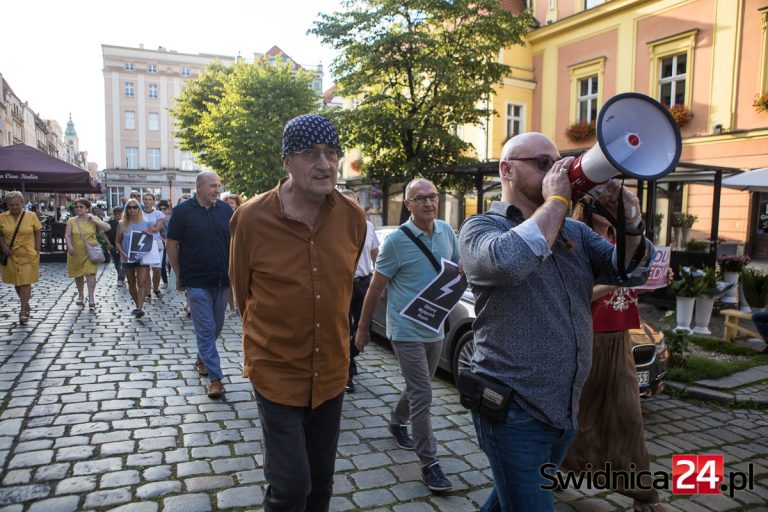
649 349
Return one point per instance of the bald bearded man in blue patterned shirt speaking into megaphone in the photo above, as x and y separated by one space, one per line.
532 270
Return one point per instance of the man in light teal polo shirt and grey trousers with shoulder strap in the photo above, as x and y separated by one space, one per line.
405 270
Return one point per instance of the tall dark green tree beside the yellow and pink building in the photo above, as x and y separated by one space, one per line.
416 69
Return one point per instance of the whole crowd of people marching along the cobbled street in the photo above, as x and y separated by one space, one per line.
303 269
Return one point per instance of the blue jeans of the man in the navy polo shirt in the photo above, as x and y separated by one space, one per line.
207 306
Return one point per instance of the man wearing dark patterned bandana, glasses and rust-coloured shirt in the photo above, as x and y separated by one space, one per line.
292 261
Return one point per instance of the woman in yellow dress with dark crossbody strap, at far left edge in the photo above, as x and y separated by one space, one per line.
23 267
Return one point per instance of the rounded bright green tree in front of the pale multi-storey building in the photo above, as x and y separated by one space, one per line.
232 119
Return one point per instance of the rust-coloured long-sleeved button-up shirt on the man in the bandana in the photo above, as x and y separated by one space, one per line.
293 288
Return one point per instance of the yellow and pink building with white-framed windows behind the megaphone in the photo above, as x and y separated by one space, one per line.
708 56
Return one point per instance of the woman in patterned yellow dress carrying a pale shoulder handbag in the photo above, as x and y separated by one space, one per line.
81 229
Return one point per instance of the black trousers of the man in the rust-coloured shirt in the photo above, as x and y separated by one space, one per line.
298 479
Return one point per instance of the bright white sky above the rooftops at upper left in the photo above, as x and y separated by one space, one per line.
51 50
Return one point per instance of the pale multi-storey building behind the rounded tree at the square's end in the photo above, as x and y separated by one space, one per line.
140 86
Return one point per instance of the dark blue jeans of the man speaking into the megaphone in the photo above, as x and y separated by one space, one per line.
516 449
